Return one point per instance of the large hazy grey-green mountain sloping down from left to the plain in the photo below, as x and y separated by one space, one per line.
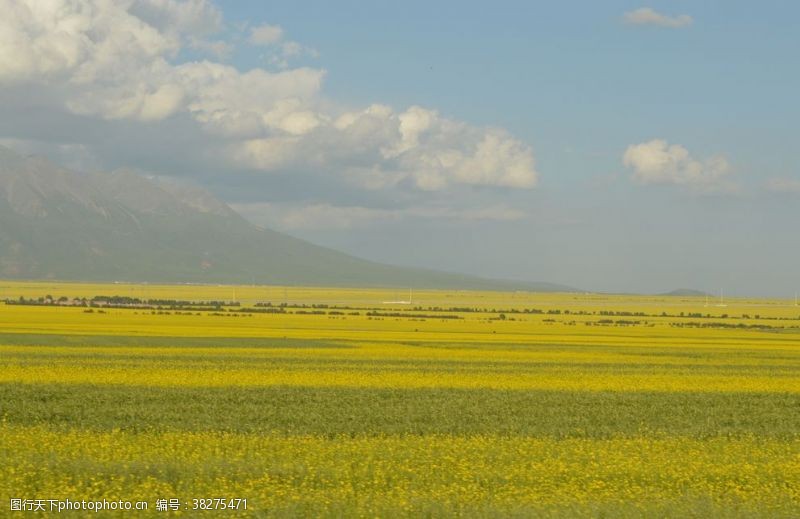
60 224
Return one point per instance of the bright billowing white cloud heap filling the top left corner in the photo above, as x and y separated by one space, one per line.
114 60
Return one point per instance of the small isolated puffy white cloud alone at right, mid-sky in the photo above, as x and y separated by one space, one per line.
658 162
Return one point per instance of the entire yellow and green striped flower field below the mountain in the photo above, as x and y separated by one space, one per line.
318 402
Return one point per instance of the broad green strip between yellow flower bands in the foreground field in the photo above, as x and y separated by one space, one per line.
356 412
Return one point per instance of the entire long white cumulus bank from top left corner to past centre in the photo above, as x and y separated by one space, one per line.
121 63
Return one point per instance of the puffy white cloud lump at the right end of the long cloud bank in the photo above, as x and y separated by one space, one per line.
379 148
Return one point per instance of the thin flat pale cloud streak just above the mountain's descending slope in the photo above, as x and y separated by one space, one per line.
327 216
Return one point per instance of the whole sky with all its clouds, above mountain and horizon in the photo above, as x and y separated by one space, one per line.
614 146
